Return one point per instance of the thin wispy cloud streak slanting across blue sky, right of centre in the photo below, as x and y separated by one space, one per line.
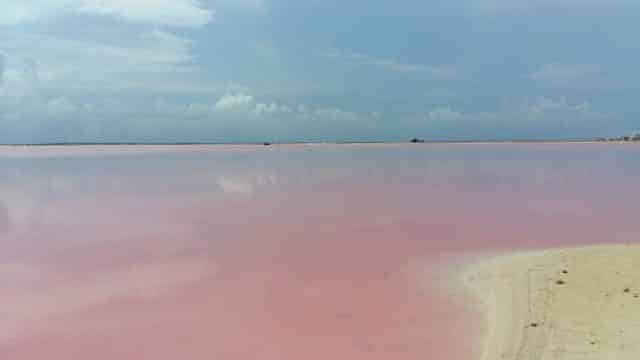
392 65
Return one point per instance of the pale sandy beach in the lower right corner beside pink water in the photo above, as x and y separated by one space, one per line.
574 303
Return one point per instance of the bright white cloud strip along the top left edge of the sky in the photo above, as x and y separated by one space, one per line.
179 13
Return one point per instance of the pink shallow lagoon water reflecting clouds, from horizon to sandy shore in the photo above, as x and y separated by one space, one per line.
285 252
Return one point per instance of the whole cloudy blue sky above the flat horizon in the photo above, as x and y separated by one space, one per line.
284 70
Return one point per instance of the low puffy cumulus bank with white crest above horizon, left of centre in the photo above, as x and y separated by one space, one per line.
237 116
